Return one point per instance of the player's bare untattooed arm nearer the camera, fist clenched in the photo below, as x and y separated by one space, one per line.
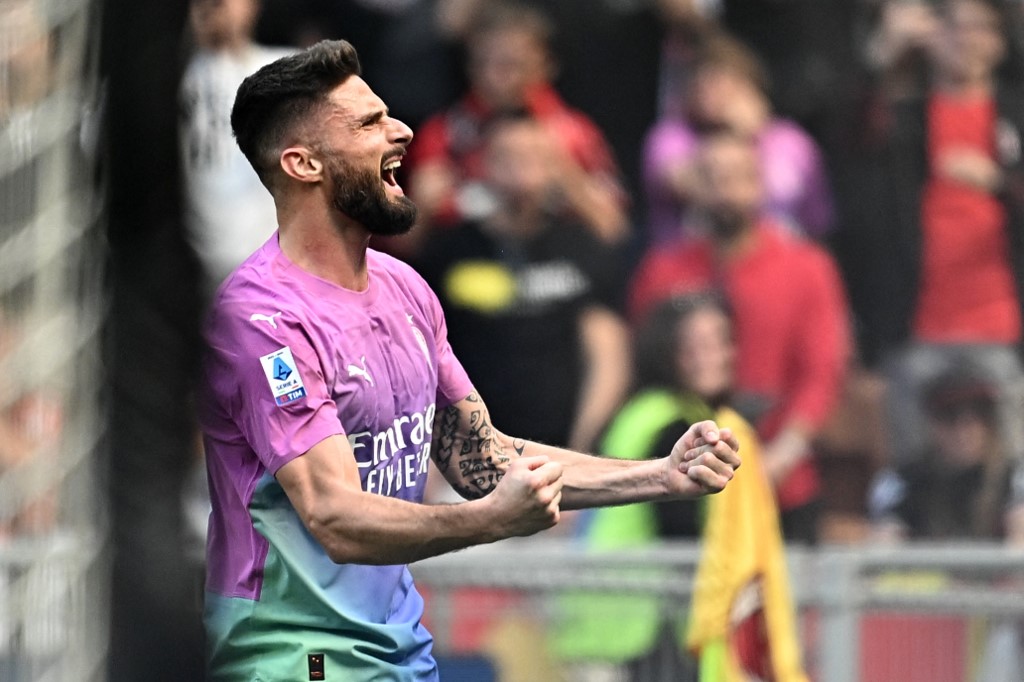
356 527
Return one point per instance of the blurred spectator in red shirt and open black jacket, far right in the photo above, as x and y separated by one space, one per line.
934 238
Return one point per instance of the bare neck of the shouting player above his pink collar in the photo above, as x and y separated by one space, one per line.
325 243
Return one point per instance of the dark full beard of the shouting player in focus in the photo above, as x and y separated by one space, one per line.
361 196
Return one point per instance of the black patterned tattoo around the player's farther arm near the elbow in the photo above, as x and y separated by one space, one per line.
468 451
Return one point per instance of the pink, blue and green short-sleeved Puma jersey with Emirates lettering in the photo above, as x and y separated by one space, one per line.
293 360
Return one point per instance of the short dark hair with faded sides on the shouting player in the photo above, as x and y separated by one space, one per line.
285 93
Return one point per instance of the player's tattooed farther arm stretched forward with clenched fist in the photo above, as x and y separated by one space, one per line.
474 456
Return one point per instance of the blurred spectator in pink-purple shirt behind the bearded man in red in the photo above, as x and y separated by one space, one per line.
730 92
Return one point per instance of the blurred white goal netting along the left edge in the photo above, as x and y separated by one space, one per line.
52 623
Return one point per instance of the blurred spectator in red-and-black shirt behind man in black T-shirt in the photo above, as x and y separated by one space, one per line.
510 71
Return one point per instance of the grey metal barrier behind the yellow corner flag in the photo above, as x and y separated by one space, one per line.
868 615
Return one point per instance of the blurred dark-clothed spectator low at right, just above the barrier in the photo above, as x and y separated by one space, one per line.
963 486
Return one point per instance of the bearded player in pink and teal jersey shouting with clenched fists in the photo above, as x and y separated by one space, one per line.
328 386
